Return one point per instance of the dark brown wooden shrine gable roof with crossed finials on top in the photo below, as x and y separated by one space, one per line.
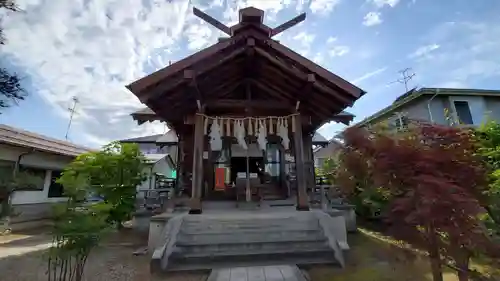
246 70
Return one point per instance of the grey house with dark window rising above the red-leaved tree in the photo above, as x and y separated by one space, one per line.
441 106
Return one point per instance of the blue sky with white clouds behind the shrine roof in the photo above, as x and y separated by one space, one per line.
90 49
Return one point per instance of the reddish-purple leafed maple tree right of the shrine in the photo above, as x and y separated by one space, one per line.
434 179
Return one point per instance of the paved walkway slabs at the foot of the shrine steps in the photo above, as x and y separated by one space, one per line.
258 273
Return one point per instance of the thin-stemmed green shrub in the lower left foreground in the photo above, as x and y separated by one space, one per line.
78 228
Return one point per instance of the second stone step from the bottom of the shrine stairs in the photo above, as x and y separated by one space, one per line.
267 247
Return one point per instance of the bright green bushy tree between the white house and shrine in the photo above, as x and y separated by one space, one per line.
114 174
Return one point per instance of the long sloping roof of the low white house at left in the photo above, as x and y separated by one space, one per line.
18 137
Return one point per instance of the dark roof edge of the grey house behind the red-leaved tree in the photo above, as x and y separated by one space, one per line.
413 94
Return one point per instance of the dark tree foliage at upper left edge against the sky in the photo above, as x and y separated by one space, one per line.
10 86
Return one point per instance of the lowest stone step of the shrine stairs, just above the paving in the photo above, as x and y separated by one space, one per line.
251 259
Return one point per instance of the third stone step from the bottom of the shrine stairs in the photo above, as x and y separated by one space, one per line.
249 237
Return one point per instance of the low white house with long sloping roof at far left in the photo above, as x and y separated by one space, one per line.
42 157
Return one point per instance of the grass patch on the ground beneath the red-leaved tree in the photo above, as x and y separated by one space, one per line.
375 257
